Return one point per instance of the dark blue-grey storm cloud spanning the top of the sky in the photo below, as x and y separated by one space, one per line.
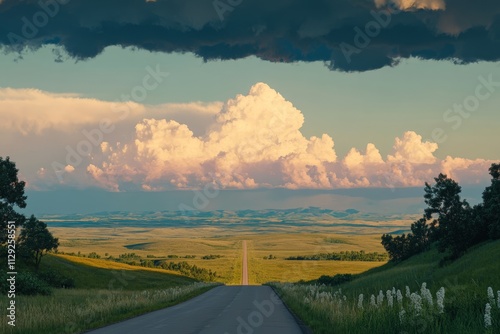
348 35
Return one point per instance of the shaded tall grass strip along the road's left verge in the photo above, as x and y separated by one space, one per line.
74 311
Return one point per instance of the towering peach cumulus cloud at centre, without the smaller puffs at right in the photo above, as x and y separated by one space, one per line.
253 137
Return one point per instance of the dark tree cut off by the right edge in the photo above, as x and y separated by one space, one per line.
491 203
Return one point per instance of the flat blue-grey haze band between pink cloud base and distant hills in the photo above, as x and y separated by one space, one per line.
335 203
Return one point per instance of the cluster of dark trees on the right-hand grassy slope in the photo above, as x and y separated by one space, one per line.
449 221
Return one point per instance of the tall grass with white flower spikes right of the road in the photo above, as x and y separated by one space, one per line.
327 310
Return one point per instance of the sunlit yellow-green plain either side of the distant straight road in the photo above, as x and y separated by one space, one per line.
161 242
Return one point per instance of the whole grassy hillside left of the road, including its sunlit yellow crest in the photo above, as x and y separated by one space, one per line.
106 292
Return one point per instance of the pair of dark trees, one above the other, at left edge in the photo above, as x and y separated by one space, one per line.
34 239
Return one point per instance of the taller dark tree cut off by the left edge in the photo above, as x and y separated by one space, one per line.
11 194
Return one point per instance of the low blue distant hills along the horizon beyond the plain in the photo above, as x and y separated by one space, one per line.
309 216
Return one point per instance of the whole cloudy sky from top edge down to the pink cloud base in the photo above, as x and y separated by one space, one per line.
169 95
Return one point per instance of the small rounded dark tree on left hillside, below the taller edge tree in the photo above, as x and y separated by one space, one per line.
35 241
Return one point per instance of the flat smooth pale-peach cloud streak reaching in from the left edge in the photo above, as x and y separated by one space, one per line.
32 111
